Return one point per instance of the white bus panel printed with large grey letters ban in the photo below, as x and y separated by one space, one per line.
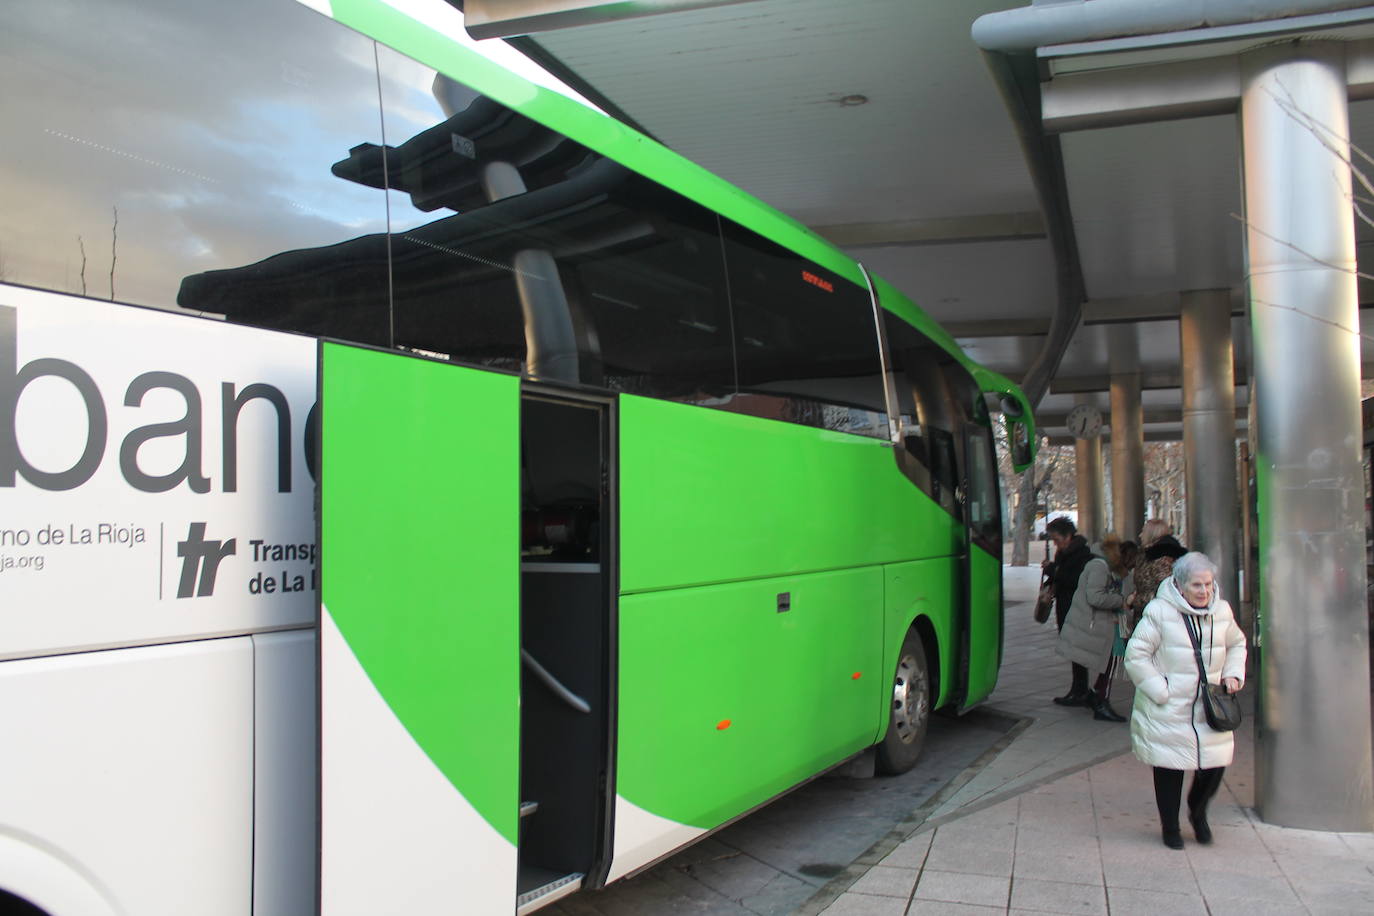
93 561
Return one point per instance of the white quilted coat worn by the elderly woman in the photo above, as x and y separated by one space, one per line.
1169 726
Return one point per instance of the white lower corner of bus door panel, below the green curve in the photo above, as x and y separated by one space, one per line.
396 836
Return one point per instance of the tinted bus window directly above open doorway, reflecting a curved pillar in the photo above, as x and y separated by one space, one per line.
516 248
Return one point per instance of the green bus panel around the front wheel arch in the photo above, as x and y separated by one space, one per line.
927 590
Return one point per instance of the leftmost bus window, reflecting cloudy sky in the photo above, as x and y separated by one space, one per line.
150 144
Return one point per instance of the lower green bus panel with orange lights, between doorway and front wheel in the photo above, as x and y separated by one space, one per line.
725 702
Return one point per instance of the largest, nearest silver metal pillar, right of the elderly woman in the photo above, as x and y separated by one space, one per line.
1313 760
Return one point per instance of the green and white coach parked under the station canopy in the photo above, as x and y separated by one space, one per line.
421 492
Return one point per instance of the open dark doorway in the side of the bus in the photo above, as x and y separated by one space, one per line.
567 645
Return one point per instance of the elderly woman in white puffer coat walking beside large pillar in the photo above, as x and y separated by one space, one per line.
1169 724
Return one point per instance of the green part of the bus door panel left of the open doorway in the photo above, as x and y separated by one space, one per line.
421 556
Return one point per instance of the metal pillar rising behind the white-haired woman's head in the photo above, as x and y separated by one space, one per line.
1210 432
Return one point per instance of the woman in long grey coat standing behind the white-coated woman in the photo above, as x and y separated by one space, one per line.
1093 621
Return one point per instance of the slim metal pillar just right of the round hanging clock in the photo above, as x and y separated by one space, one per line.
1127 433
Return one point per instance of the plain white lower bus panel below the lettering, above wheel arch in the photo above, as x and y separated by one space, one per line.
133 768
